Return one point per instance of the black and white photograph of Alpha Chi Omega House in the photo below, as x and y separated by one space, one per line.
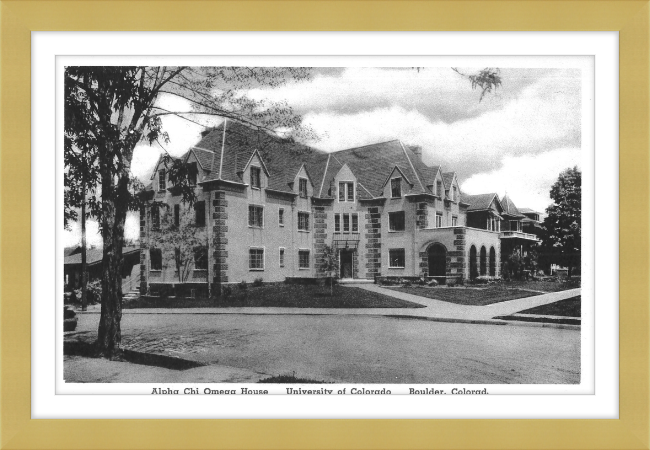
288 229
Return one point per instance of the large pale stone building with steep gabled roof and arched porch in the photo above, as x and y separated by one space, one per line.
267 208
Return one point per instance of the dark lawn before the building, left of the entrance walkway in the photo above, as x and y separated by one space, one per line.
281 295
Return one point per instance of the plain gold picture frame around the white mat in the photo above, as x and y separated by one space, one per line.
19 18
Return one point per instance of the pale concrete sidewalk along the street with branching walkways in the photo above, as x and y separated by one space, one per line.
434 309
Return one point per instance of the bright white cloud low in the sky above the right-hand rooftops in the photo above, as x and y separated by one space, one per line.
527 179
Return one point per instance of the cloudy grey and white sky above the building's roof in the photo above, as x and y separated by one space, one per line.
516 140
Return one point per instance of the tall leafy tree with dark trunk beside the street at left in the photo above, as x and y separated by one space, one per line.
110 109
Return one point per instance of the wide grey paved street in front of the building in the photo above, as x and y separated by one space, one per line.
356 349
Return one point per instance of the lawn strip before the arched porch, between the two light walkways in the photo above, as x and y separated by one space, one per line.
470 296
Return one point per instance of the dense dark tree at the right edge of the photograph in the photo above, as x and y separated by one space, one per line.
561 239
